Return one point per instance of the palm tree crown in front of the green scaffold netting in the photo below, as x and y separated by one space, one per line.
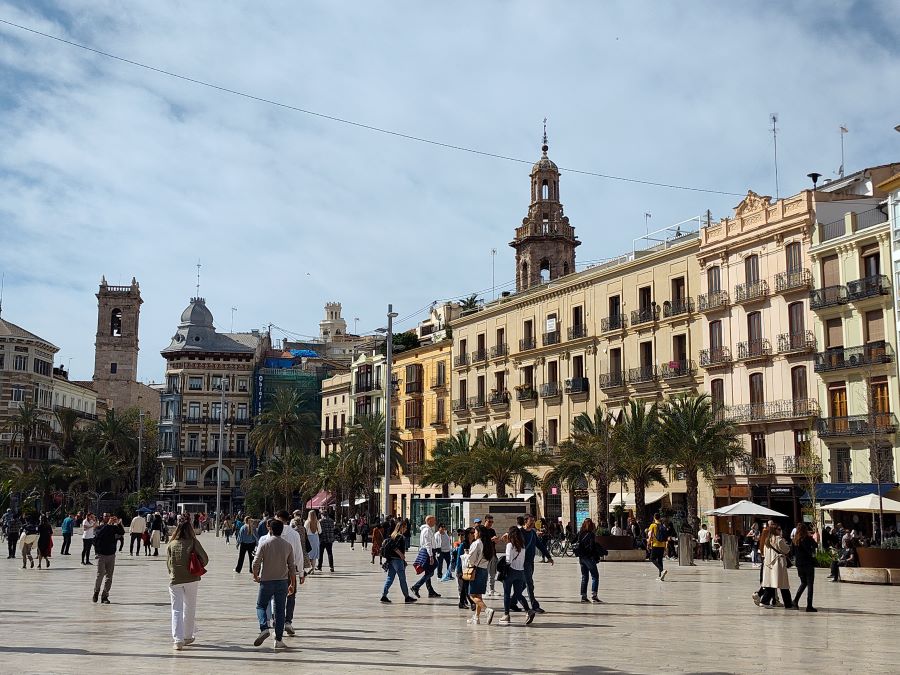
284 425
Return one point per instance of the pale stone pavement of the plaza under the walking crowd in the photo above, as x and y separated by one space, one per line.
700 620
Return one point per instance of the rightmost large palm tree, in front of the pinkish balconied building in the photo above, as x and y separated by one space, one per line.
697 440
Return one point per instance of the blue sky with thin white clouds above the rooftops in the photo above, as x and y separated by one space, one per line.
110 169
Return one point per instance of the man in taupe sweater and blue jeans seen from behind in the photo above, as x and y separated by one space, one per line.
273 570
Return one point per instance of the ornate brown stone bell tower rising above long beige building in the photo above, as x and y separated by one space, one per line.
545 242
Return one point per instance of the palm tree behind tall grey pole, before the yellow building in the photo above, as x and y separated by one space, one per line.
363 454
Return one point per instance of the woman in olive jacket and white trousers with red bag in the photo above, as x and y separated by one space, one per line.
183 581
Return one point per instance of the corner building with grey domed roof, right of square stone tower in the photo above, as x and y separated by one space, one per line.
208 393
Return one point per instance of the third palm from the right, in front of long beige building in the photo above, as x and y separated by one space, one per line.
588 452
